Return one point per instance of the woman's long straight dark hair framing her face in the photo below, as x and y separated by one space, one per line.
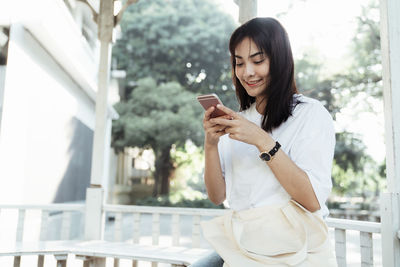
271 38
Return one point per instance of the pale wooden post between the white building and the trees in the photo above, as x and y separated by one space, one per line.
95 194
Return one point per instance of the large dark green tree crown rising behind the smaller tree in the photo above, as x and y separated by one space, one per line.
177 40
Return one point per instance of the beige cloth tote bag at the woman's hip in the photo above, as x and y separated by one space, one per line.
285 235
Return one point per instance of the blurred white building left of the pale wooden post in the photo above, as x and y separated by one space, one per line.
48 85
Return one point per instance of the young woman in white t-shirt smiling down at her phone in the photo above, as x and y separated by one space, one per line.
273 157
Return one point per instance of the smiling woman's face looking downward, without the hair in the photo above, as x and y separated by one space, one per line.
252 68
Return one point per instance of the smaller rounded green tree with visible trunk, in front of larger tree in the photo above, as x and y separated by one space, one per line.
157 116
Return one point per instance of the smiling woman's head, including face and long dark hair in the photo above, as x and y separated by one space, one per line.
258 63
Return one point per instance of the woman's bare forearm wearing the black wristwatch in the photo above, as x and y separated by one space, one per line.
292 178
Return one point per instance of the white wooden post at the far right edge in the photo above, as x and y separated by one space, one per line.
390 201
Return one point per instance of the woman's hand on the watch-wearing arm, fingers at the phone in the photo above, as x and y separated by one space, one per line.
241 129
